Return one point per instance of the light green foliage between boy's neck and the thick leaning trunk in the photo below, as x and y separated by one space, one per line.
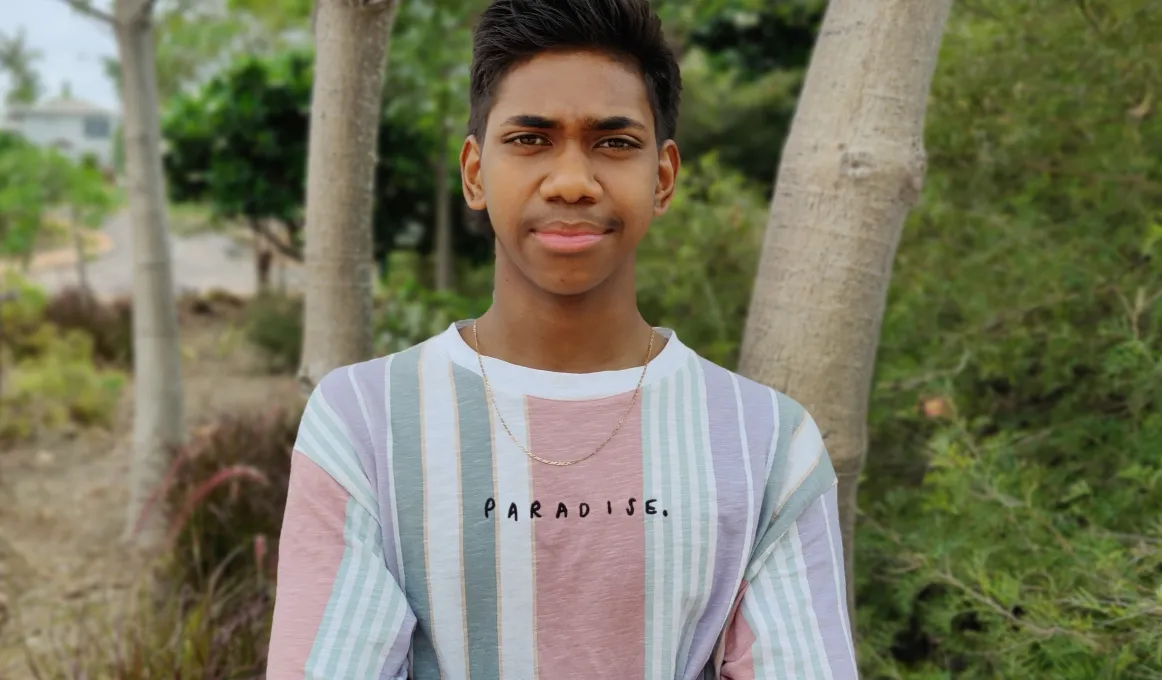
697 266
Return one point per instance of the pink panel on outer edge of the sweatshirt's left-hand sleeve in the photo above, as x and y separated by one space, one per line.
311 550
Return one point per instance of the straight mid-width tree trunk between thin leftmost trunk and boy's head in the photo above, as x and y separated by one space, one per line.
352 40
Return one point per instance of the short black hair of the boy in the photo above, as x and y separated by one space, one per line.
513 32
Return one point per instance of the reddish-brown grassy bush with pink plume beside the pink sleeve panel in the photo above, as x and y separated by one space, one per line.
226 493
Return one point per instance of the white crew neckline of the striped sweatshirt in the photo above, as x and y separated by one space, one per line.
515 380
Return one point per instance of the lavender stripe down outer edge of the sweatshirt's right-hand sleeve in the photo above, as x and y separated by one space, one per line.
820 557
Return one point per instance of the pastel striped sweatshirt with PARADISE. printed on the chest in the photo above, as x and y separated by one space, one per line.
421 542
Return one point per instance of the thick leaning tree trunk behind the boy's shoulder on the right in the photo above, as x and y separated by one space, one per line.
851 171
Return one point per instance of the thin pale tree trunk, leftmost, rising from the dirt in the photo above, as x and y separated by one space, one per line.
159 403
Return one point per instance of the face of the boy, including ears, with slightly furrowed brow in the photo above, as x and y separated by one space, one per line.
570 169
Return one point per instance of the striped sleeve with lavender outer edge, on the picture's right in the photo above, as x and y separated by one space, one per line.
791 617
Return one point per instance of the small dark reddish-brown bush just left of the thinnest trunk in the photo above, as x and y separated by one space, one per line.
110 325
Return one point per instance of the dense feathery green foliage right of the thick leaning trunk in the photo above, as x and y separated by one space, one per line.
1010 524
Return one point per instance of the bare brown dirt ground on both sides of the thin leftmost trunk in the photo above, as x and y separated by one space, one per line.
62 504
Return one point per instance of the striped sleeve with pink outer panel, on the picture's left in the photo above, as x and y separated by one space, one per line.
339 613
